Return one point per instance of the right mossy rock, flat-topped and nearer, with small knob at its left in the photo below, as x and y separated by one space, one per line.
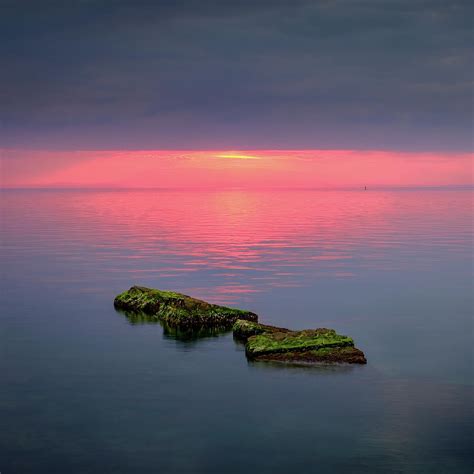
308 346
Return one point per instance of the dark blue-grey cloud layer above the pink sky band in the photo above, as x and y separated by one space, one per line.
209 73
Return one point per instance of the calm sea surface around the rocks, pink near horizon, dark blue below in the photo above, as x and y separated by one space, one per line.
84 390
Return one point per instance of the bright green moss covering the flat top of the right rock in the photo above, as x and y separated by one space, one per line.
295 341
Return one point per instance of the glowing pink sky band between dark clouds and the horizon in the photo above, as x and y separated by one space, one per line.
232 168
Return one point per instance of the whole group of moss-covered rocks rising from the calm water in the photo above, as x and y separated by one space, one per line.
188 318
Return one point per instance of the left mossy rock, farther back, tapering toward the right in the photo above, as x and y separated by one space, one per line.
179 310
